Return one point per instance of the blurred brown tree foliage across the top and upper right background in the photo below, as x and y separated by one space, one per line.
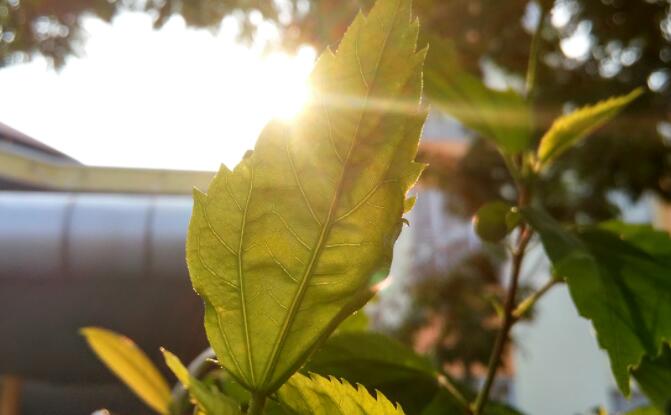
628 45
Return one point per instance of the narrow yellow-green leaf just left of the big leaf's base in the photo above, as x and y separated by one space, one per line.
209 402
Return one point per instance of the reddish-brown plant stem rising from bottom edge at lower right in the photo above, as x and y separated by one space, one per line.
508 321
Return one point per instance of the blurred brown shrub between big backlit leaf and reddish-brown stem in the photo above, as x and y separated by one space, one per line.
453 317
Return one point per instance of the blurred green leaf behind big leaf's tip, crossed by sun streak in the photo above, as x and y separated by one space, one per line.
501 116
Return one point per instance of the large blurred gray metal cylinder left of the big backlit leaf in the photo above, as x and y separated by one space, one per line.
72 260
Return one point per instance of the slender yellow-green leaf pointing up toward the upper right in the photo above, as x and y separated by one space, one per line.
571 128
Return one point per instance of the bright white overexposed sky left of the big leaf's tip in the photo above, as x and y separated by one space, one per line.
175 98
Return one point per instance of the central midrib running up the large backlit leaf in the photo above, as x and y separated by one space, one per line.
329 222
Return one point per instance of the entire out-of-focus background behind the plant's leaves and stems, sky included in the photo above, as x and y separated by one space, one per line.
111 111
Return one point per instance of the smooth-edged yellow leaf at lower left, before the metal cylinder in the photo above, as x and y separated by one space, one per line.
131 365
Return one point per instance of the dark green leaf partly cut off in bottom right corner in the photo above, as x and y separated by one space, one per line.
654 378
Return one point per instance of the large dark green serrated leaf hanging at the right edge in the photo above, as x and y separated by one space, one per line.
619 277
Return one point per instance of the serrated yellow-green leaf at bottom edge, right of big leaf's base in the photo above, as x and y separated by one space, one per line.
316 395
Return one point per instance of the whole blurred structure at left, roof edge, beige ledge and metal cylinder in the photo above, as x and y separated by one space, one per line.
83 246
